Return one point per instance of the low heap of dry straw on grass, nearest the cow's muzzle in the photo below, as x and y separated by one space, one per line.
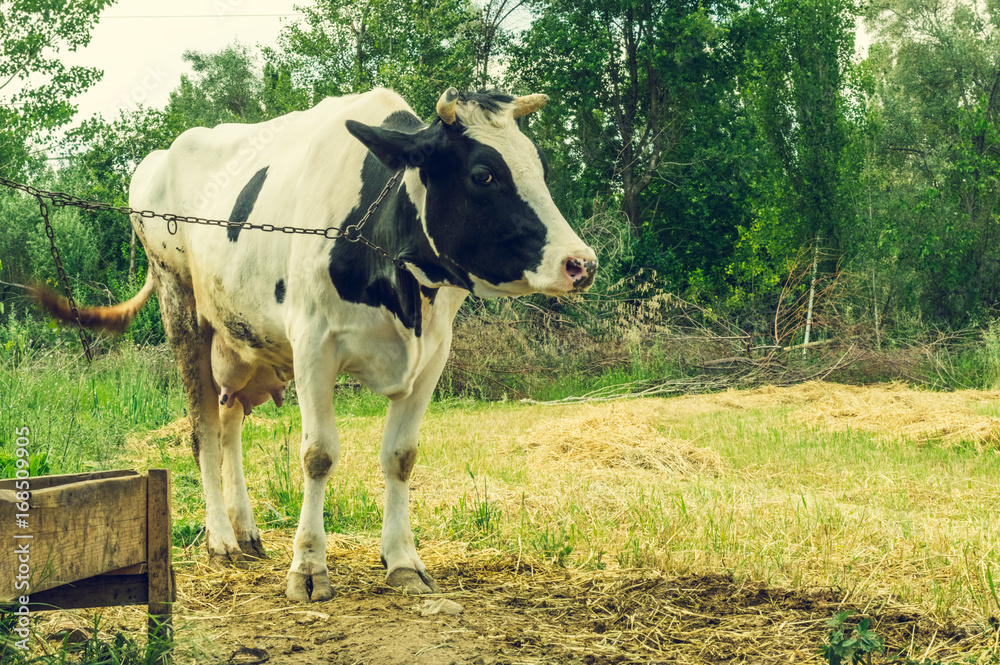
618 435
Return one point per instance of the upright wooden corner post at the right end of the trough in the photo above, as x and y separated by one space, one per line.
162 593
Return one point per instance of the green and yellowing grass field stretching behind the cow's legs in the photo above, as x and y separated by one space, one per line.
796 503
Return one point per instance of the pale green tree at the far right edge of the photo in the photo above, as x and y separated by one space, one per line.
936 67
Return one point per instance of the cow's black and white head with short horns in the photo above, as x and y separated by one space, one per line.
485 208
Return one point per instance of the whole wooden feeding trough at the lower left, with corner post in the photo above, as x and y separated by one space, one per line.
89 540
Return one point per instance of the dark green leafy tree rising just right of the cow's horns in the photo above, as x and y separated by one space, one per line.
628 74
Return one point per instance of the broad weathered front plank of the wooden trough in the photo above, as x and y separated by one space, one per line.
74 531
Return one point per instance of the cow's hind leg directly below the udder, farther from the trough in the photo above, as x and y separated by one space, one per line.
234 485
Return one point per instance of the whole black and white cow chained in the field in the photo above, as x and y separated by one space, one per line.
245 310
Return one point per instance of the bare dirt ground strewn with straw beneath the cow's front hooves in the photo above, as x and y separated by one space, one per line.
513 611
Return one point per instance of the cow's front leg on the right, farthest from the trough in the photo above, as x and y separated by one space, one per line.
404 569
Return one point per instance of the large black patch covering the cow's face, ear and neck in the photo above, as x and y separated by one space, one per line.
477 219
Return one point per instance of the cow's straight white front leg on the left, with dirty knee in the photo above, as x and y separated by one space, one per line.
308 579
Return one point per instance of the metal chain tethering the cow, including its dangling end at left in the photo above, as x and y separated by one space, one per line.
351 233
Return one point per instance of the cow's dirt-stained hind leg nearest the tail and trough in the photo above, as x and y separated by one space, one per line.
191 342
